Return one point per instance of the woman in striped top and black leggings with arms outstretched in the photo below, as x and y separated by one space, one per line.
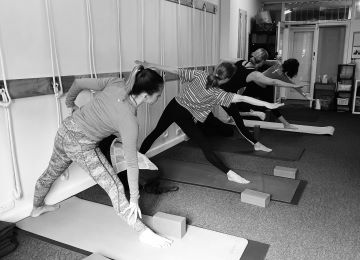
194 103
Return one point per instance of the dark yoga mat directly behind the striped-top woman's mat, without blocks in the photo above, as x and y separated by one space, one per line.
241 146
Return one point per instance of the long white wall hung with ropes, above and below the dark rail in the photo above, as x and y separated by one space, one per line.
25 45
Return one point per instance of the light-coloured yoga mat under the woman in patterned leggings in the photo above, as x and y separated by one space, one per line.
96 228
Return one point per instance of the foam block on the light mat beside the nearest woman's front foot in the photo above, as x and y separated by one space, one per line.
169 225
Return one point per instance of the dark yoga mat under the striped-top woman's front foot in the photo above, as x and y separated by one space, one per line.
281 189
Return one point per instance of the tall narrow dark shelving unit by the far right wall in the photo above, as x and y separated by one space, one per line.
345 87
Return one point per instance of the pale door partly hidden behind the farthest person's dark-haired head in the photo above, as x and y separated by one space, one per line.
302 46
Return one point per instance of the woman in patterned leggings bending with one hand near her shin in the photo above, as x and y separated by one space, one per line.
113 110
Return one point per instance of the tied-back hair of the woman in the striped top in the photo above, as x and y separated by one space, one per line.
225 70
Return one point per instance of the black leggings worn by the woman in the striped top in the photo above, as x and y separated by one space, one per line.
175 113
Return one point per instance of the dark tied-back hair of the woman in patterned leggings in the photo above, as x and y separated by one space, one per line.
144 80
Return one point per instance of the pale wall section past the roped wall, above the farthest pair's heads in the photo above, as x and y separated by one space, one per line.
229 15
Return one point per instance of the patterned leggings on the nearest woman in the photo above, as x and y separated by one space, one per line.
71 144
